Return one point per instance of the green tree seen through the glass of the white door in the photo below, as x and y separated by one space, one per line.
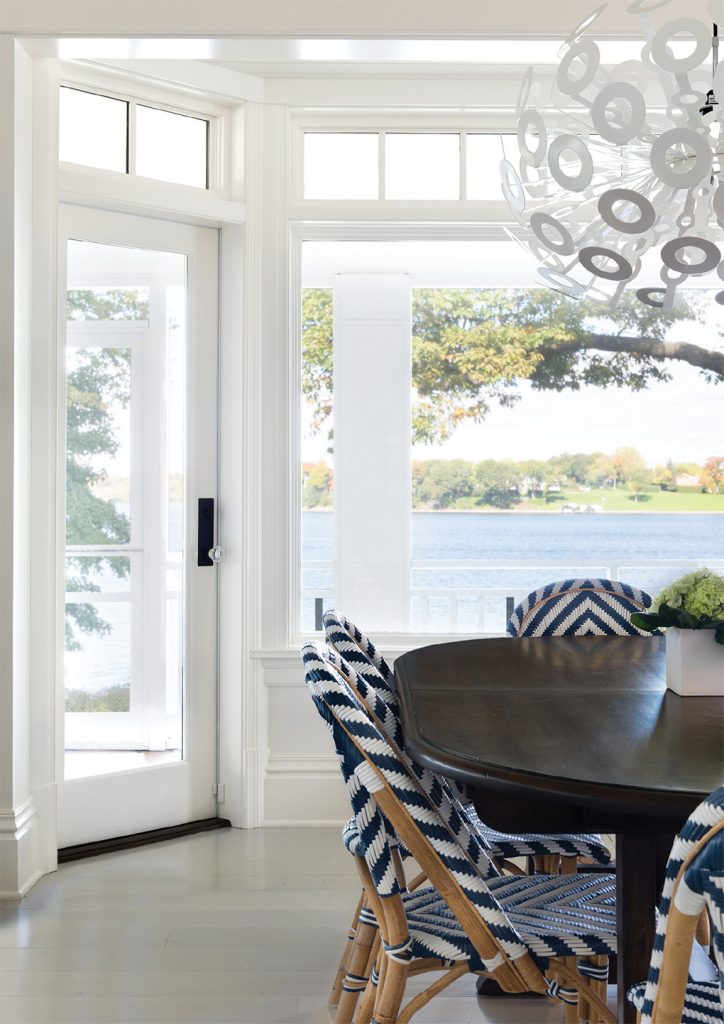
97 380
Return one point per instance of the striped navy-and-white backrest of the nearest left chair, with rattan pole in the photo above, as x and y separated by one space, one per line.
384 785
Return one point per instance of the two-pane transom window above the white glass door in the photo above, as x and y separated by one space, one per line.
117 135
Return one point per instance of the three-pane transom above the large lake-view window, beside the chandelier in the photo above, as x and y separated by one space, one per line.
405 165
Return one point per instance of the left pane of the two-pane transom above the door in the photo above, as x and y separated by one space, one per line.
94 131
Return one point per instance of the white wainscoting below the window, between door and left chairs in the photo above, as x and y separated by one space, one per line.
303 785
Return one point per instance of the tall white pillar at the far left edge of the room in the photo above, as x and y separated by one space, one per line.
18 833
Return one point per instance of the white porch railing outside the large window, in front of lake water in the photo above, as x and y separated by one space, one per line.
486 609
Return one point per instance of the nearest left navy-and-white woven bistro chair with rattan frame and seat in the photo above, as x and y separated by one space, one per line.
545 934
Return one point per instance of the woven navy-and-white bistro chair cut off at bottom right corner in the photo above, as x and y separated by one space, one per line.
695 881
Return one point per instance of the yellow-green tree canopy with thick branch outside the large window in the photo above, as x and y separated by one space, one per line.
473 348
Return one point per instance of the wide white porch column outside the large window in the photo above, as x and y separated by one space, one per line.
372 449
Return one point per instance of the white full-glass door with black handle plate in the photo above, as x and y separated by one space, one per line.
138 708
